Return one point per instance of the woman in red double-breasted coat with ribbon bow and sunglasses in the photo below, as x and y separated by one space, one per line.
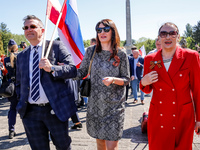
173 75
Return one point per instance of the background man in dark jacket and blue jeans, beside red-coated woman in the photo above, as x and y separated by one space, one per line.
136 71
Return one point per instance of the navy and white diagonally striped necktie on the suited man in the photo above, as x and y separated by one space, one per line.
35 89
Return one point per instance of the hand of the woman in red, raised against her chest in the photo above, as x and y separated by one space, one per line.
149 78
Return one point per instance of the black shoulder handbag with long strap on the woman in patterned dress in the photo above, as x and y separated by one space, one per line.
85 86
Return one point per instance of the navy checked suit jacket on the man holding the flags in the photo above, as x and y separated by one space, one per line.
59 93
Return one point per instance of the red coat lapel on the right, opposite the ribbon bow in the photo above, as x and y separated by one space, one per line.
176 63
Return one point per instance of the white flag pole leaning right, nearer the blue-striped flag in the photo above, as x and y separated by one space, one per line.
58 21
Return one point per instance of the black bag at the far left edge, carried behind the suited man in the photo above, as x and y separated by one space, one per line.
7 89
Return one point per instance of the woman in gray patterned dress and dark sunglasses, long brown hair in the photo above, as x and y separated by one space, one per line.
109 77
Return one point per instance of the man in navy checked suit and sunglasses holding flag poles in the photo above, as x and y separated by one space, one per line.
45 100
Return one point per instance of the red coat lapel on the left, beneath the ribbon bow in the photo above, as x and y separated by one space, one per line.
162 73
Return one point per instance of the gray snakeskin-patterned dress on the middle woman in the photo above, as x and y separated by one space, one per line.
105 109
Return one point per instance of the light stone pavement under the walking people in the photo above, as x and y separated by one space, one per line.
132 138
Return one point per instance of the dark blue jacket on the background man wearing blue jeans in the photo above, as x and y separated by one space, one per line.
139 70
